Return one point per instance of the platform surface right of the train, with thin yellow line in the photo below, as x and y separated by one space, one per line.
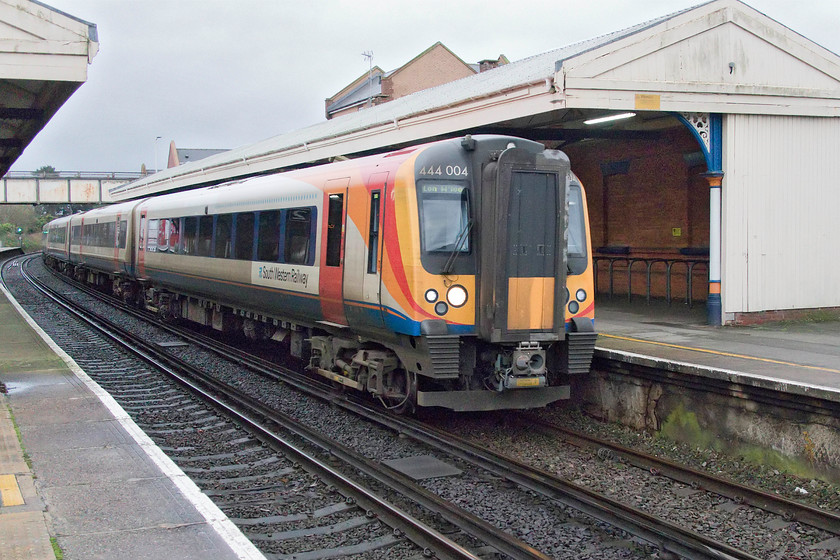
798 357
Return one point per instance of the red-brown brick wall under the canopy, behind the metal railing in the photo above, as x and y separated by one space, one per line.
654 203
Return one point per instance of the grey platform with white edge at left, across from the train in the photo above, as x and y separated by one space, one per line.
75 468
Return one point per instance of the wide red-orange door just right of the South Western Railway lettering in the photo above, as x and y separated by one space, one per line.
332 251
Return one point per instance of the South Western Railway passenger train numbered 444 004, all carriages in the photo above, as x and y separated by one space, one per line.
454 274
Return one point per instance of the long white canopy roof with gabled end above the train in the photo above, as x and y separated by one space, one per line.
719 57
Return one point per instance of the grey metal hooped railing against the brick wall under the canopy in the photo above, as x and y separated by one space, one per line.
625 263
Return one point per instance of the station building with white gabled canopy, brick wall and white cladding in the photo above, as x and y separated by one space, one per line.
707 140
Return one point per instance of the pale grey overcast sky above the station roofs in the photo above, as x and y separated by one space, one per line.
225 73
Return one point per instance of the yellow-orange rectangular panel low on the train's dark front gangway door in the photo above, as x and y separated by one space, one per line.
530 303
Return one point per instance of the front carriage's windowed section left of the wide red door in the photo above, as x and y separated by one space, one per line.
233 256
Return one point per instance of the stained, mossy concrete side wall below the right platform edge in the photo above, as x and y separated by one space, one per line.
762 431
